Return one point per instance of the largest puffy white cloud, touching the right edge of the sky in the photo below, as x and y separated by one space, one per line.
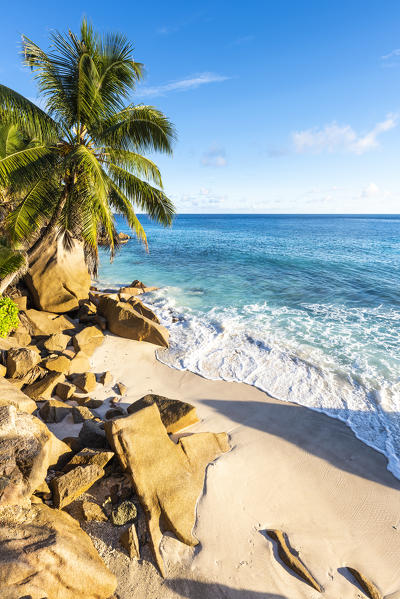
341 138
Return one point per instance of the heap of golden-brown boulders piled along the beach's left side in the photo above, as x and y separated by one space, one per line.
141 483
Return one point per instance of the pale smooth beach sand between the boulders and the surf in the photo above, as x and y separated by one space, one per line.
290 469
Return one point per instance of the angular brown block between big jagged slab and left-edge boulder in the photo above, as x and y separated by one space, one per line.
69 486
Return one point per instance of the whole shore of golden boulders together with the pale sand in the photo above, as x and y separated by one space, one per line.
103 488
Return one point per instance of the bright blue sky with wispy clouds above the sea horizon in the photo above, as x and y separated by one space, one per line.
280 106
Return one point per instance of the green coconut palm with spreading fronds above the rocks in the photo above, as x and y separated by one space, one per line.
81 161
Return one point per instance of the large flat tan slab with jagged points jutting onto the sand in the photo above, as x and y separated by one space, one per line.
168 477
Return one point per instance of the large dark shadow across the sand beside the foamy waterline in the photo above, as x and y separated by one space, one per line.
322 435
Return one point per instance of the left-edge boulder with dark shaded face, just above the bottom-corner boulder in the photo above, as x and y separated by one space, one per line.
27 449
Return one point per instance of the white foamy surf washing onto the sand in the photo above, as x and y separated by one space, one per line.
279 351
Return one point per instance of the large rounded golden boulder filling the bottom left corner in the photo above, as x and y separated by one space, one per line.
45 553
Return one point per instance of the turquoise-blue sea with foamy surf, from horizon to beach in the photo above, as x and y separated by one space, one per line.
306 308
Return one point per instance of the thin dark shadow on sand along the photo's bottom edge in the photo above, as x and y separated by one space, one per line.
194 589
